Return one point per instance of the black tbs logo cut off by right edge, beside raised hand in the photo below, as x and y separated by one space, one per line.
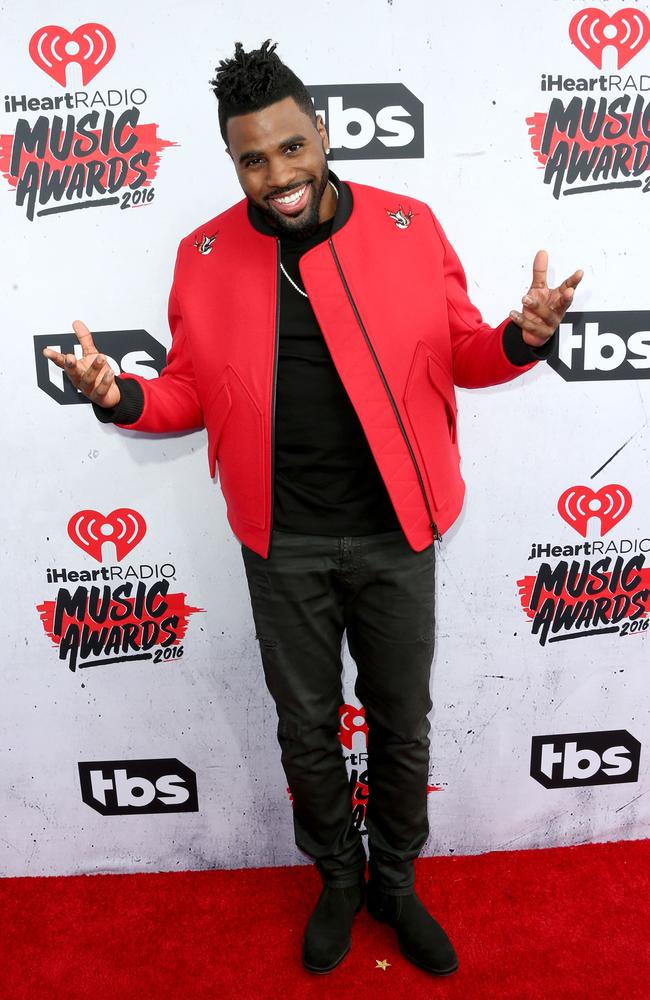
603 346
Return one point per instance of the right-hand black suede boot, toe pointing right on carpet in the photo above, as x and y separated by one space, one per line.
421 938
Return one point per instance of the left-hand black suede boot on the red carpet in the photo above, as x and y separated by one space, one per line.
328 933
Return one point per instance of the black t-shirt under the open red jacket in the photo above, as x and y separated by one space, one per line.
326 479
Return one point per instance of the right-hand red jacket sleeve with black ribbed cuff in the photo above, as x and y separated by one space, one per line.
482 355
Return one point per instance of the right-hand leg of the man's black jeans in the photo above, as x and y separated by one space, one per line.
390 620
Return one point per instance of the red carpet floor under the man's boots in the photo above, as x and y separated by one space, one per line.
566 923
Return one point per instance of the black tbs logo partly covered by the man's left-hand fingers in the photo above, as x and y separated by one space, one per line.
133 352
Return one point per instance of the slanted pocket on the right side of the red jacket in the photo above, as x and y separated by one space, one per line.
430 405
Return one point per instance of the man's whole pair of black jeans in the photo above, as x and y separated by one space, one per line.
309 591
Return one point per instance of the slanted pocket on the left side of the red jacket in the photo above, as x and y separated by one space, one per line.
236 431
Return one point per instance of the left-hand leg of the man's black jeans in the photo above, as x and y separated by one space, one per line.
297 607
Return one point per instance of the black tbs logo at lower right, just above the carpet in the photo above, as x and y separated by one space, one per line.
569 760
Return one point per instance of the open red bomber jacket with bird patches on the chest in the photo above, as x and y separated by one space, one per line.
390 297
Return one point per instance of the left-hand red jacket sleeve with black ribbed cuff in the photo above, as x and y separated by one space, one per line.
167 403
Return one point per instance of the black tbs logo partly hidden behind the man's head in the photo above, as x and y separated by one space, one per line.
371 121
